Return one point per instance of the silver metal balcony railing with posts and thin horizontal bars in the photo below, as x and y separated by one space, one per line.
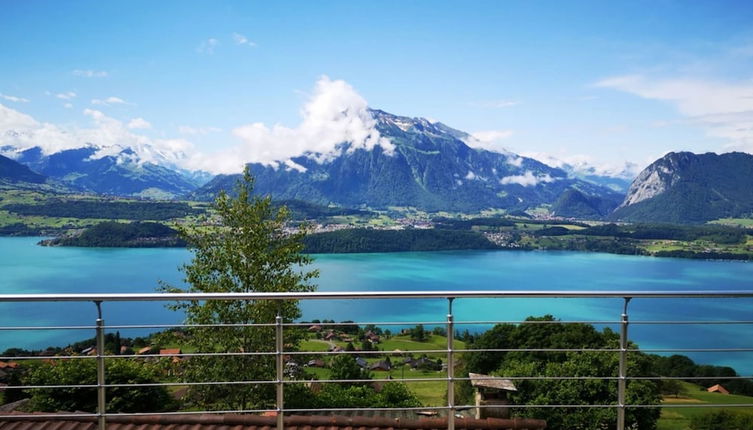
449 324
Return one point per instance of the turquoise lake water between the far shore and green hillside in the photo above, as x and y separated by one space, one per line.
28 268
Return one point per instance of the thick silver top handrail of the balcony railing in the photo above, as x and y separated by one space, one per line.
335 295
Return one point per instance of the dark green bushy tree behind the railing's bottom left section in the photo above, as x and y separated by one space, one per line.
84 372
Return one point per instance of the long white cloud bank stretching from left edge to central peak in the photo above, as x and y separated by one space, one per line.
334 115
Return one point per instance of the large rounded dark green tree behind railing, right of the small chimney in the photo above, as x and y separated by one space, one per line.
545 333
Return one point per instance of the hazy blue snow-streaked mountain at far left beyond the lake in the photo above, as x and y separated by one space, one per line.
121 174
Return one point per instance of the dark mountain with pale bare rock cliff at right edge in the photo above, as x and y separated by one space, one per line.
684 187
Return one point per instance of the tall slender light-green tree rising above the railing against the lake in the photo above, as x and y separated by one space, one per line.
249 251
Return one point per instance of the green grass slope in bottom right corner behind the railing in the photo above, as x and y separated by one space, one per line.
678 418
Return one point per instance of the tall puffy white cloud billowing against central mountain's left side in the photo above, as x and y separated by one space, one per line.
335 114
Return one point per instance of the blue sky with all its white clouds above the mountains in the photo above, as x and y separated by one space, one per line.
212 84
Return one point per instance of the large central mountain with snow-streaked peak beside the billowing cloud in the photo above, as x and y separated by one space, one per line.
431 168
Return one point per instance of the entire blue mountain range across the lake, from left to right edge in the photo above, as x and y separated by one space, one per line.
429 166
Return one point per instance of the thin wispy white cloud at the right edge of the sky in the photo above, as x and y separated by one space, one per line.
723 109
